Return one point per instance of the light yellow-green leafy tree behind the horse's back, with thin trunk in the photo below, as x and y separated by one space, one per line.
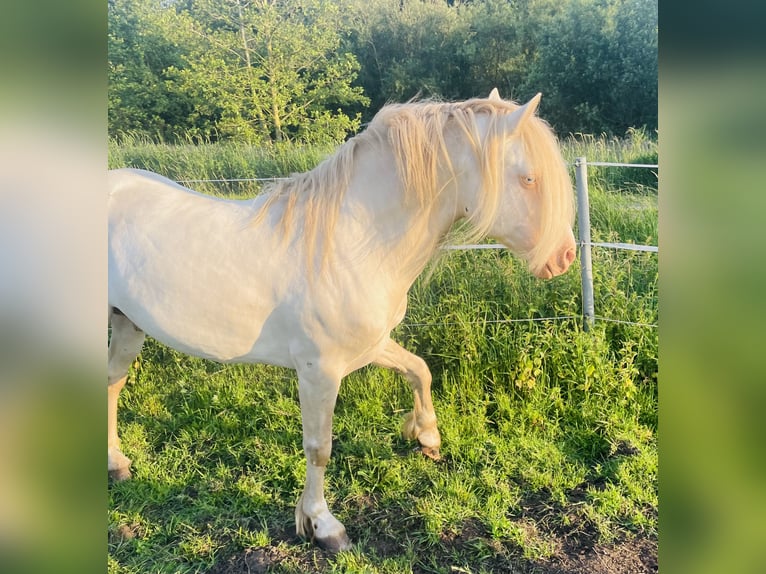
268 71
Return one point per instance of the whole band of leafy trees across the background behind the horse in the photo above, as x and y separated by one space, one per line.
312 70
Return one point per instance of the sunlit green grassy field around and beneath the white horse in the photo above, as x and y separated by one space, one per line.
549 432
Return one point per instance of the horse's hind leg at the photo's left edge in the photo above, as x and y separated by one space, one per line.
124 347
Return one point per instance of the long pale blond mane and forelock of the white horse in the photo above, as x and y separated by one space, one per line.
415 131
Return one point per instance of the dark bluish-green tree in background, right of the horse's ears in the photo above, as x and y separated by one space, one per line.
597 65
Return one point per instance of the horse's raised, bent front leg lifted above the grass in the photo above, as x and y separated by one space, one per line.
420 424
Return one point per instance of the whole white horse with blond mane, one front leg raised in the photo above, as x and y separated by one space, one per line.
314 274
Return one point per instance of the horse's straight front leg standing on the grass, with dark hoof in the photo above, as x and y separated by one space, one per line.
318 392
